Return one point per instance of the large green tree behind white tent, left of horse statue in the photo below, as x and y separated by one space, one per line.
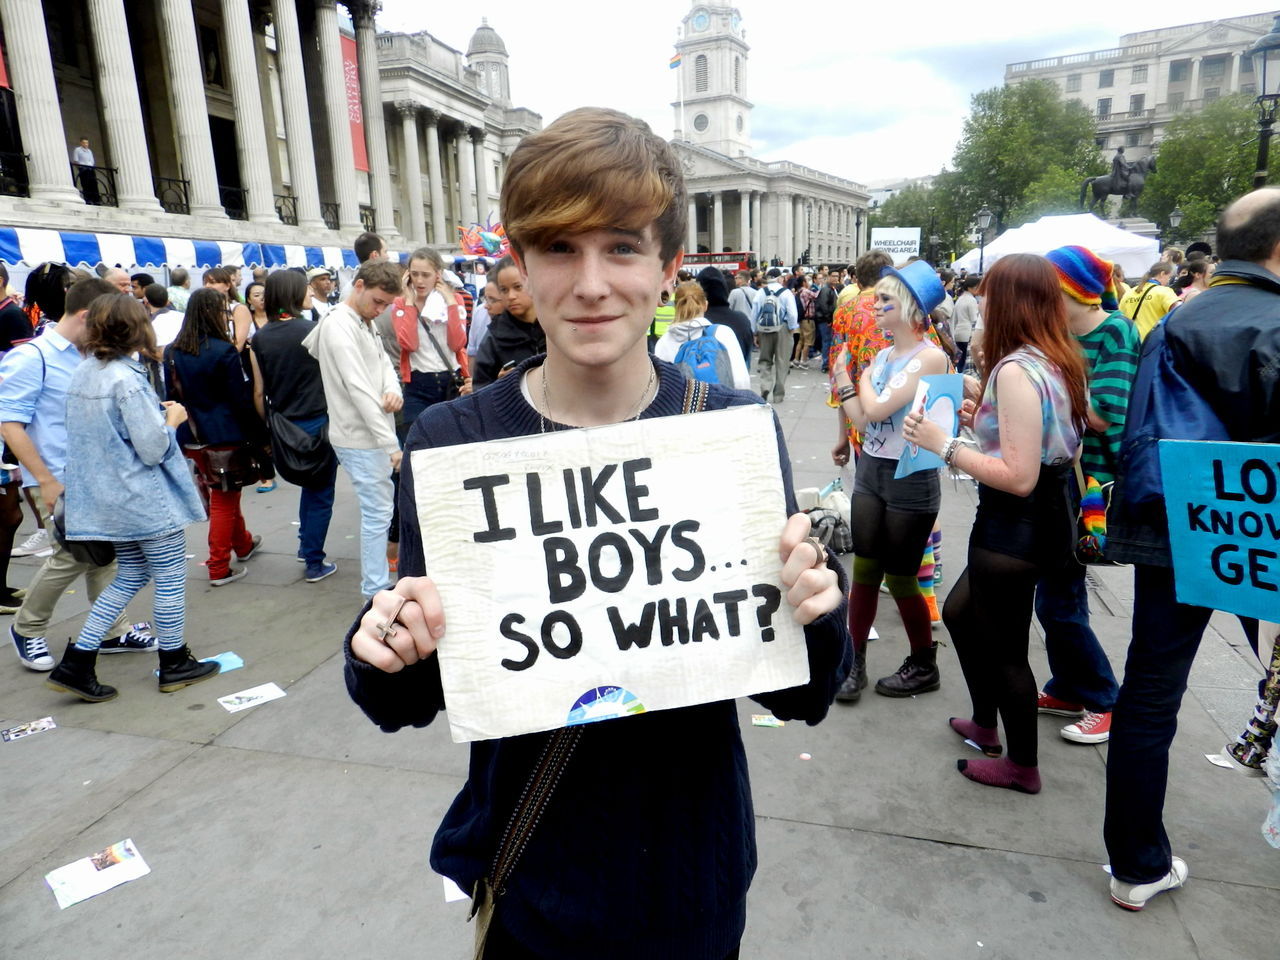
1020 136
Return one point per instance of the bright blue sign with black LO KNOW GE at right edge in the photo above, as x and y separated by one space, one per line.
1224 524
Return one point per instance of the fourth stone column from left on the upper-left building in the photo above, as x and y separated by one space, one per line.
248 100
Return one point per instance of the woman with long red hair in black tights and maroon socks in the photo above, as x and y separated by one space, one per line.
1028 432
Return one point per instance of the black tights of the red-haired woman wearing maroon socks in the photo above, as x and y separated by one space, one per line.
989 615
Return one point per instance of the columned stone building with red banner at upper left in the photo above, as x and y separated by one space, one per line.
271 121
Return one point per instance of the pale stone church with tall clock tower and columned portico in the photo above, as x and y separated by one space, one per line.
778 211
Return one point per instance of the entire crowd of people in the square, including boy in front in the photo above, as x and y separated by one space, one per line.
180 399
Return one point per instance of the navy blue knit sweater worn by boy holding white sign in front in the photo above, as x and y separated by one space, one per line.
648 847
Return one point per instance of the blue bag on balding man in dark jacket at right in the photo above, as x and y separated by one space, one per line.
1163 406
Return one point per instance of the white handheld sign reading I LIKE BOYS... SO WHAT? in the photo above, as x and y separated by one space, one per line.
596 574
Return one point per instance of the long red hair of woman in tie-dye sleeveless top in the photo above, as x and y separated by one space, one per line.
1023 307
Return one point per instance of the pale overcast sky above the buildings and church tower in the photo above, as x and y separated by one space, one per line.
868 98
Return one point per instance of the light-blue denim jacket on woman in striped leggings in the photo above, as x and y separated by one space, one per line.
126 476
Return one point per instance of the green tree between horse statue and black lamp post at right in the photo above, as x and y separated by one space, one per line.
1205 162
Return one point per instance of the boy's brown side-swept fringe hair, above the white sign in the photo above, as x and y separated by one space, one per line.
595 170
